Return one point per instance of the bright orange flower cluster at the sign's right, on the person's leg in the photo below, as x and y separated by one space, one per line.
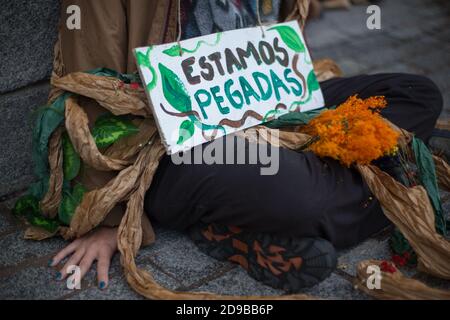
354 132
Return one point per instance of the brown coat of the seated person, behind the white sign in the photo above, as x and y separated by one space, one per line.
110 30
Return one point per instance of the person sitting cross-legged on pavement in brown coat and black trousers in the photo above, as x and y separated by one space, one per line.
284 229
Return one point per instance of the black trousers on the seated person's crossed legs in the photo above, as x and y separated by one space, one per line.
309 196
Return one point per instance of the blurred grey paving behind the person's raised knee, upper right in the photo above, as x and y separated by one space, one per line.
414 38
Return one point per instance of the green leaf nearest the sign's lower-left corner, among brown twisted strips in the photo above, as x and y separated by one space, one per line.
110 128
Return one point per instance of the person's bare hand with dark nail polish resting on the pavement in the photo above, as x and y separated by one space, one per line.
98 245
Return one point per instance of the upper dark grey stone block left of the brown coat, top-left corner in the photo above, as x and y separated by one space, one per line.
28 33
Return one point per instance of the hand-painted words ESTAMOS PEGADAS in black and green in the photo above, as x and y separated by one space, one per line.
261 85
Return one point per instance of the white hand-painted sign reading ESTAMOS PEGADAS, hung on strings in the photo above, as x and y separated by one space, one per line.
228 81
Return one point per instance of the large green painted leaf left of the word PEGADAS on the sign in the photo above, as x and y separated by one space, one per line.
174 90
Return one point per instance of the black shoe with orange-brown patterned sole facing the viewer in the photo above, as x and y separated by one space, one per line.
287 263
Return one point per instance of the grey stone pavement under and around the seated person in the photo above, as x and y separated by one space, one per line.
414 38
